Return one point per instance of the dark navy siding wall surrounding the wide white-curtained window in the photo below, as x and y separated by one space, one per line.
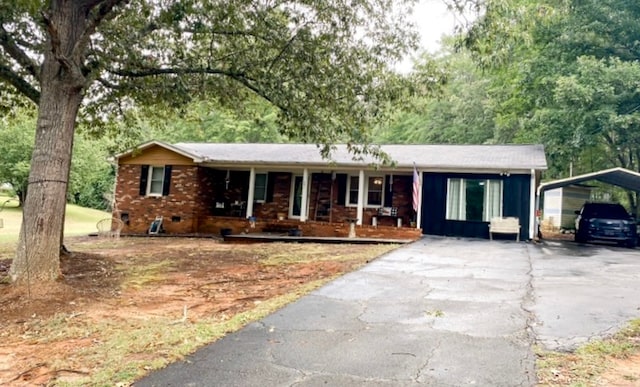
516 202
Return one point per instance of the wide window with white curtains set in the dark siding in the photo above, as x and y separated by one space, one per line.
474 199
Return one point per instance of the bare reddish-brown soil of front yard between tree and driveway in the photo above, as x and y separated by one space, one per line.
44 331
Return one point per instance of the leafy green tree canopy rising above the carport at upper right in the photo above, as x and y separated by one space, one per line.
569 76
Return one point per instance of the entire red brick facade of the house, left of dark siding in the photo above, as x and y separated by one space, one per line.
206 200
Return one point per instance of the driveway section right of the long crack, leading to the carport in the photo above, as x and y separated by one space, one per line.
583 292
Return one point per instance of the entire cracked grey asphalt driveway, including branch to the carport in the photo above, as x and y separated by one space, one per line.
438 312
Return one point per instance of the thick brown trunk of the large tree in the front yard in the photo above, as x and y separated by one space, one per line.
38 254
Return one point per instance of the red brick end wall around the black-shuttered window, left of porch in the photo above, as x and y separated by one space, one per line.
180 209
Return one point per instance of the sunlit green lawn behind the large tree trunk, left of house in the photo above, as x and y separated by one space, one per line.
78 220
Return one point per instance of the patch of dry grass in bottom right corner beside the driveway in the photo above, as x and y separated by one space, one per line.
584 366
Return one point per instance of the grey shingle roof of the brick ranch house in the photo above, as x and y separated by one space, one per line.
424 156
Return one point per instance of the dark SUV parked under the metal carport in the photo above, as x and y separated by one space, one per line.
605 222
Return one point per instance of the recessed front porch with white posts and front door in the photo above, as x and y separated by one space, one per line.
376 199
